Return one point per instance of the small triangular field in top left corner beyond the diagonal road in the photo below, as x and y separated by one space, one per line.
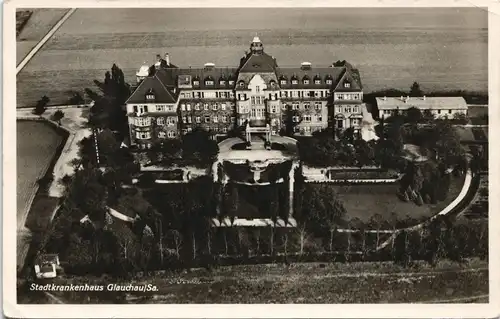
40 22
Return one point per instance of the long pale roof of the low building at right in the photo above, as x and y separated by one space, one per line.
433 103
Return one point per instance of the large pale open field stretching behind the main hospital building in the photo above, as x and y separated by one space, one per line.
392 50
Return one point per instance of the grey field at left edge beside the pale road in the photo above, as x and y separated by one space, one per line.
37 144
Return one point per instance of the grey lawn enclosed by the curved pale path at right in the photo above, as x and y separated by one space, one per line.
364 201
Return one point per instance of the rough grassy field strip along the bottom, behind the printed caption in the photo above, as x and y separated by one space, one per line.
301 283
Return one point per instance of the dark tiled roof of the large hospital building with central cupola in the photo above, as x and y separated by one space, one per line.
164 80
